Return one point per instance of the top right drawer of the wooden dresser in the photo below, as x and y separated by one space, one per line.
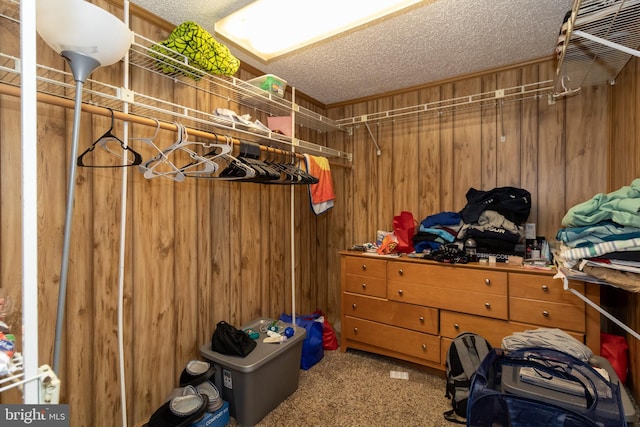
543 288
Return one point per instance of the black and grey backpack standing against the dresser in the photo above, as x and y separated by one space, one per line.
465 354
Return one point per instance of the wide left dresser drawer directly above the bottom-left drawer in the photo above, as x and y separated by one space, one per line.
422 319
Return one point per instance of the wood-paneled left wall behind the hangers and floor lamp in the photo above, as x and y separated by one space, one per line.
196 252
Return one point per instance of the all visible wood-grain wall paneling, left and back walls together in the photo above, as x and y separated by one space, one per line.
199 251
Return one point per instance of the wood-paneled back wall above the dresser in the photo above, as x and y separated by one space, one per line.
556 151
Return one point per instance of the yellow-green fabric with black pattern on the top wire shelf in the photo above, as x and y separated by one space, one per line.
201 50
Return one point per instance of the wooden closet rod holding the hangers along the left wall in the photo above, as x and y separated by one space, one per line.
6 89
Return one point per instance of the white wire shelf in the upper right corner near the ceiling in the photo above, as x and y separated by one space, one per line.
599 39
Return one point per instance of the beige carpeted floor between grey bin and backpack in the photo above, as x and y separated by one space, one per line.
356 389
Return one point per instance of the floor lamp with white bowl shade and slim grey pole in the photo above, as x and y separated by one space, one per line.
88 37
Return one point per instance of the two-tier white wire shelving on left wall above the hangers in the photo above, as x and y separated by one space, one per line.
146 55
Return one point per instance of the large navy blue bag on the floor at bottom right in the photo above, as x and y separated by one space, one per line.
540 387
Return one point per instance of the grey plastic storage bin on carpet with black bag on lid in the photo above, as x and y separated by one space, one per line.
256 384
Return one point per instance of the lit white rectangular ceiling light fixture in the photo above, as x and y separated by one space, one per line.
271 28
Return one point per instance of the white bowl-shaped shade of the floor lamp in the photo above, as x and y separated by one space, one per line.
82 27
